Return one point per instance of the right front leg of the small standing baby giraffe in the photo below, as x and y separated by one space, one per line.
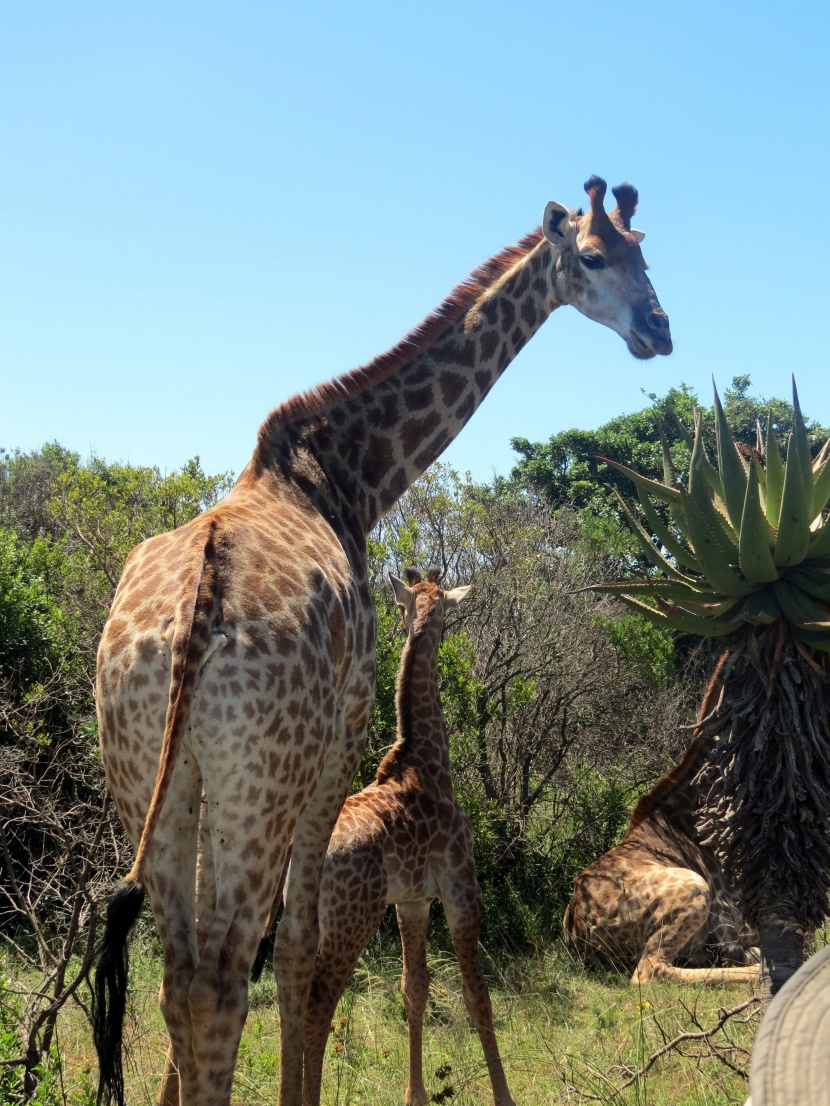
462 903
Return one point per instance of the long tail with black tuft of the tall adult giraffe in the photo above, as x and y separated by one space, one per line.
193 625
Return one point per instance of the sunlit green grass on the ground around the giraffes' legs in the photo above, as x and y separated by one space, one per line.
567 1036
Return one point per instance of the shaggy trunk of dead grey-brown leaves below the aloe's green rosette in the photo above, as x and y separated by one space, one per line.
767 792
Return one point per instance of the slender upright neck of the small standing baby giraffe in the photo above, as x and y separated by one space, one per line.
422 737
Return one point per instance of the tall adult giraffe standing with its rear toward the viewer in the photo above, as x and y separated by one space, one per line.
240 656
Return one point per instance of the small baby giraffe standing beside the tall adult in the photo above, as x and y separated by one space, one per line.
404 840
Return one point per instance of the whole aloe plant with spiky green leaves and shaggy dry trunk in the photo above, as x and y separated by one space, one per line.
742 552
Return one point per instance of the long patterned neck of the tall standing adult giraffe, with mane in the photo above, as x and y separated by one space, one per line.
370 434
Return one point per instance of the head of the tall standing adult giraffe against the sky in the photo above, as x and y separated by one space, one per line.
600 269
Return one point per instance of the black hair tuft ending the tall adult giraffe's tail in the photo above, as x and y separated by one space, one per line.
110 990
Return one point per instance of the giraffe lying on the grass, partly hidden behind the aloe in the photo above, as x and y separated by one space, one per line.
660 895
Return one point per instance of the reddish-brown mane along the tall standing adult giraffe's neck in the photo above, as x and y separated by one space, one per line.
343 389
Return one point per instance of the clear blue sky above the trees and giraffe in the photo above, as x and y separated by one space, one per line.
207 207
